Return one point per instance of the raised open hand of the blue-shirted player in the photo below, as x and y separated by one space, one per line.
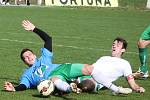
27 25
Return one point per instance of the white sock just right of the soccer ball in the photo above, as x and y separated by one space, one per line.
62 85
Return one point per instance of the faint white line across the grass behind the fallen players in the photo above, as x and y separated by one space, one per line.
75 47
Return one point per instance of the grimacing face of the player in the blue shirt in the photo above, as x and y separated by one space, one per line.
29 58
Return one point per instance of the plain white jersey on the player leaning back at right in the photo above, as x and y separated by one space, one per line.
108 69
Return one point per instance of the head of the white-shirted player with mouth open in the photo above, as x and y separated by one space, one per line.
119 47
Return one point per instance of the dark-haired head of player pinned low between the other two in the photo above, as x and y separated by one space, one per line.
87 85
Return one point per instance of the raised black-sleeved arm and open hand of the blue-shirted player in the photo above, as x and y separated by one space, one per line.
45 37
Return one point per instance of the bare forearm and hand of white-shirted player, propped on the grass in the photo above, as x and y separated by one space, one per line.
134 85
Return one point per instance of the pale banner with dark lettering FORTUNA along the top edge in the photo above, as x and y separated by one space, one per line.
99 3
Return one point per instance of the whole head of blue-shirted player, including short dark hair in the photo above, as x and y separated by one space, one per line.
27 56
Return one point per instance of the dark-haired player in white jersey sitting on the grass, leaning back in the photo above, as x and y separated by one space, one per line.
109 68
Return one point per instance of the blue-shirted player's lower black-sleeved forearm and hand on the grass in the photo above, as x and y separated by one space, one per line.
9 87
